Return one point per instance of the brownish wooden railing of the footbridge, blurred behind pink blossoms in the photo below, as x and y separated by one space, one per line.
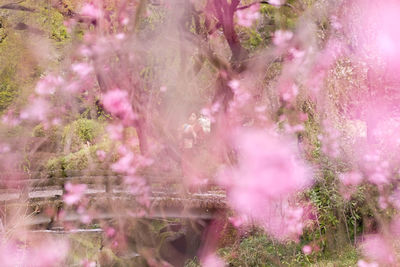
36 193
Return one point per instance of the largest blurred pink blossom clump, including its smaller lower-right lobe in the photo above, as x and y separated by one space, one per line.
268 173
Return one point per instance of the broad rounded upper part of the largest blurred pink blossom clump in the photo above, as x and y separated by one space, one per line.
269 165
